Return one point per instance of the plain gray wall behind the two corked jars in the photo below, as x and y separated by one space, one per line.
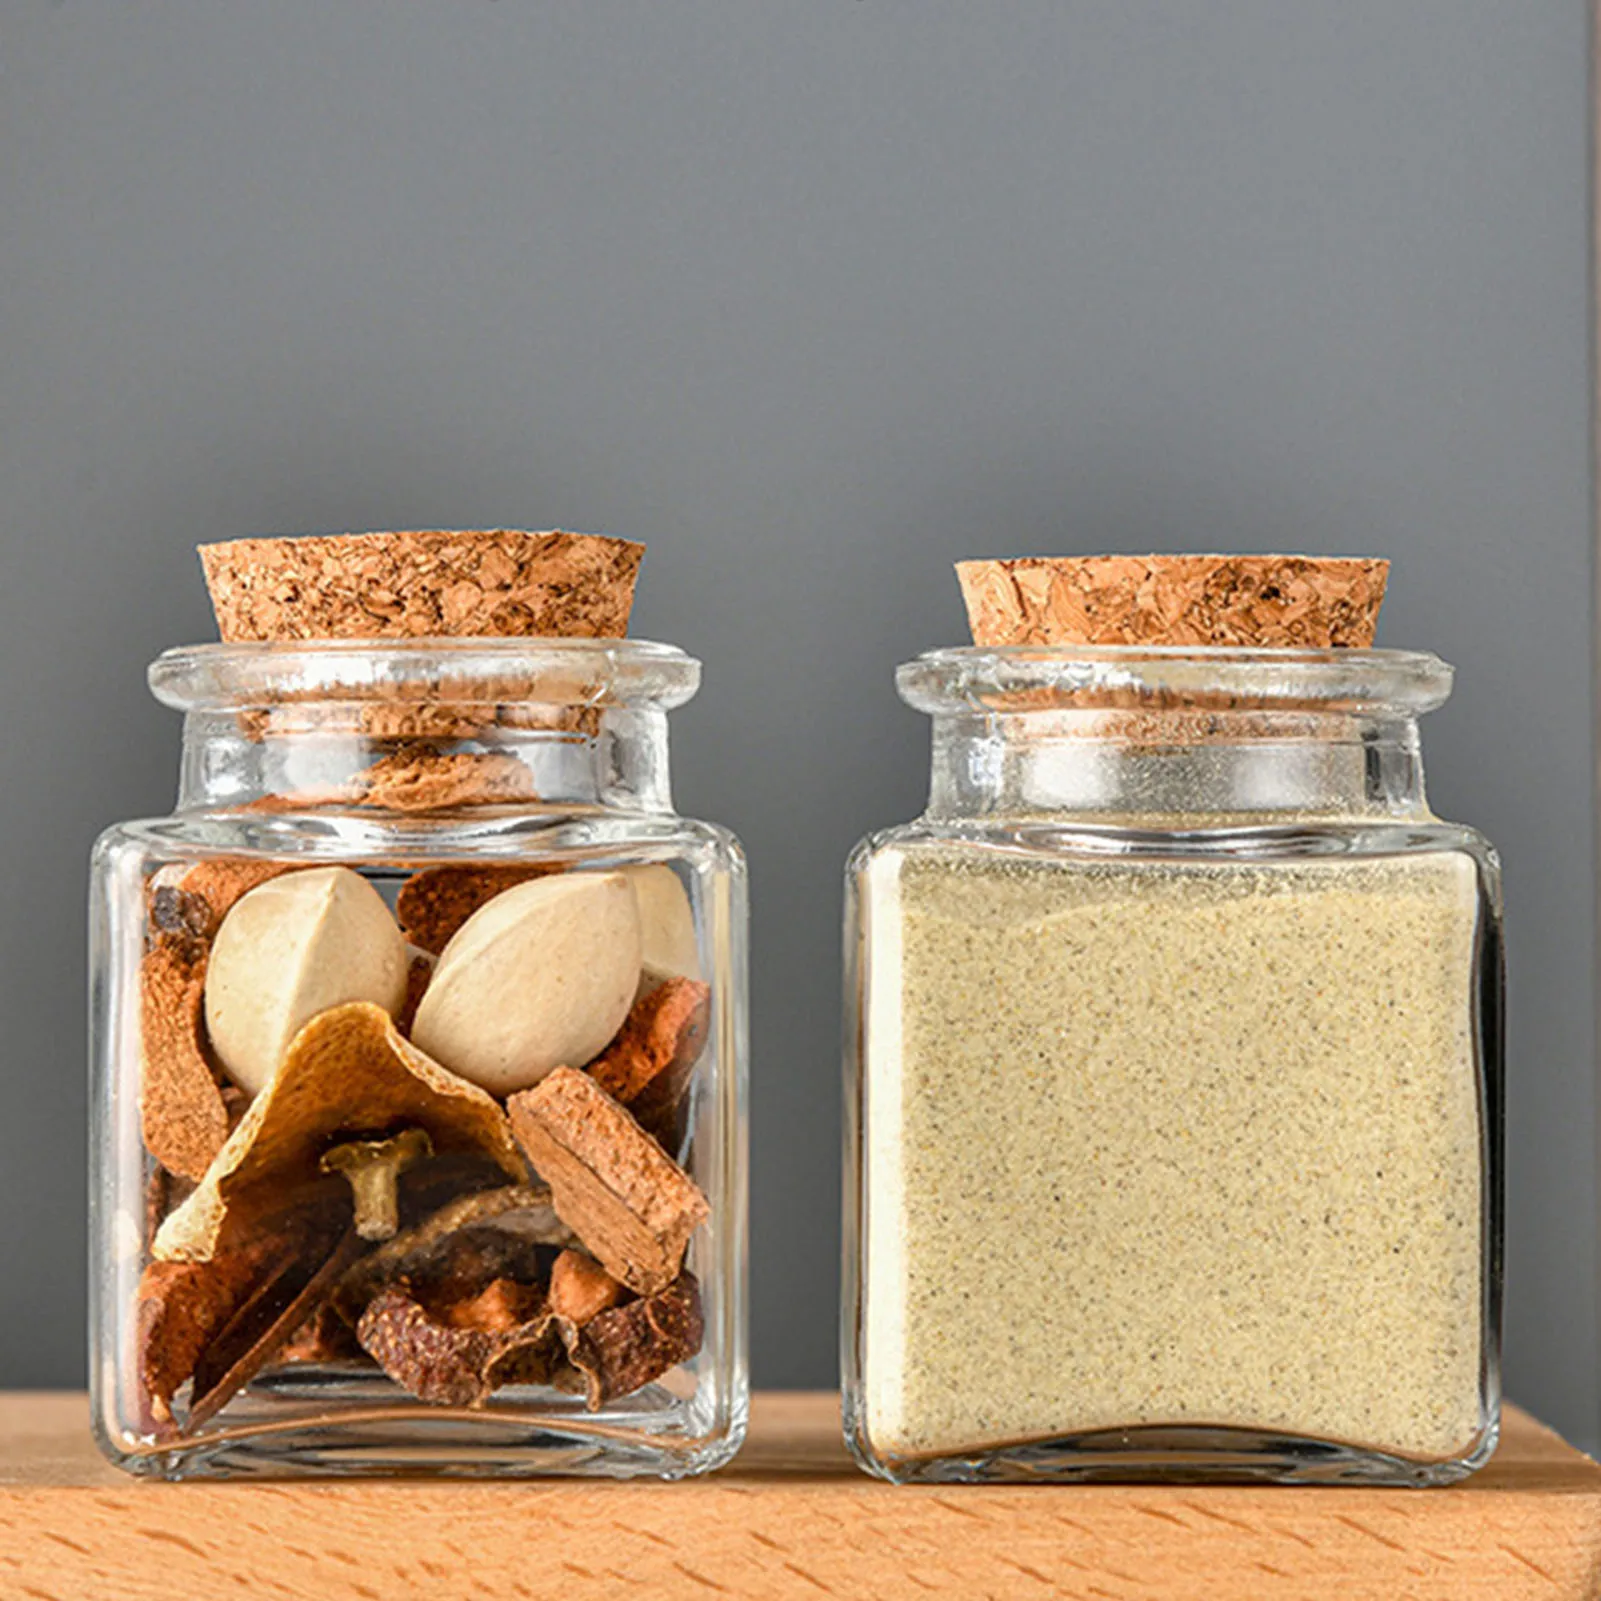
816 299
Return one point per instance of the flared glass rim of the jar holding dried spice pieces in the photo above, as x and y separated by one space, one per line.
484 672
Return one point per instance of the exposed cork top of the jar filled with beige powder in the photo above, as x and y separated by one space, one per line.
1251 601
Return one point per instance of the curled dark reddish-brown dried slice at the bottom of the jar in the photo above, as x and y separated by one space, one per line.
457 1355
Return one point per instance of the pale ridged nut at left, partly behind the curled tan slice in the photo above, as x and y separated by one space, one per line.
289 950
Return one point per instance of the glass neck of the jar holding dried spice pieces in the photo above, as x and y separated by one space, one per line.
329 756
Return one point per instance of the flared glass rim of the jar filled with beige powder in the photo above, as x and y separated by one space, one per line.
1027 678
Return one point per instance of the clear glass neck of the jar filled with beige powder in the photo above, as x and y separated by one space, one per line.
1165 769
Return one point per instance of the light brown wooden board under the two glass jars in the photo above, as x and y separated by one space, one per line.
790 1519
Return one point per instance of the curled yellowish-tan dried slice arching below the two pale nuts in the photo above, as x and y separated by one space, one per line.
347 1072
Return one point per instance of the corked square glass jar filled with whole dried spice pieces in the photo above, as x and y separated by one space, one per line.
419 1035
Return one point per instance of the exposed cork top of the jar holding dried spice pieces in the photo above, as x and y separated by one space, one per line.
423 585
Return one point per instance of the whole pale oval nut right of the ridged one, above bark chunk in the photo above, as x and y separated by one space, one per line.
537 979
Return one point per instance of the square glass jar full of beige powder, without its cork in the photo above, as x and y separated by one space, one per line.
1174 1080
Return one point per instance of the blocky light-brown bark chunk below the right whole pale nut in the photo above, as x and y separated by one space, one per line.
627 1200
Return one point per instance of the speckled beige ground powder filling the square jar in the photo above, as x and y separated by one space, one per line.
1157 1144
